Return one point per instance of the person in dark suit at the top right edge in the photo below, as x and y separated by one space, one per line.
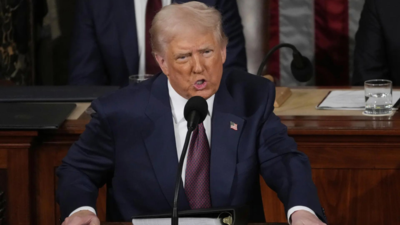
377 51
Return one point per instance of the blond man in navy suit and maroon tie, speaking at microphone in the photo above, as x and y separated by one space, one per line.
135 137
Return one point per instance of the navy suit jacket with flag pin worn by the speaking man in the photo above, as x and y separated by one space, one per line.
130 145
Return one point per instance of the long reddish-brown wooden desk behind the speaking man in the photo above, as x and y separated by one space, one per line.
355 163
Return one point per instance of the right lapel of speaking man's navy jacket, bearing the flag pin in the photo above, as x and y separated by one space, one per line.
224 143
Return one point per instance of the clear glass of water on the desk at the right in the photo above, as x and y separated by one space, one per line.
378 97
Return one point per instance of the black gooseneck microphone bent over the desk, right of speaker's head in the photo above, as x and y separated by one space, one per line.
301 66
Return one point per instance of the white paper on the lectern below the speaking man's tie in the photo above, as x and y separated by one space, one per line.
182 221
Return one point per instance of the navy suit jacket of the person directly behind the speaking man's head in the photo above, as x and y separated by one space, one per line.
104 48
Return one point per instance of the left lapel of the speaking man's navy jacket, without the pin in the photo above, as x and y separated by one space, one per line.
160 141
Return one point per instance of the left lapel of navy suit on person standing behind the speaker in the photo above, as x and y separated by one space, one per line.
124 11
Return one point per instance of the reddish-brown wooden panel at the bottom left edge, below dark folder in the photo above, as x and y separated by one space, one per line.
15 162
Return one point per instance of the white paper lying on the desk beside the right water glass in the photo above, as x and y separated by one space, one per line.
349 100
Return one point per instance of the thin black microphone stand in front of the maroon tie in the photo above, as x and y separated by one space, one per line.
191 127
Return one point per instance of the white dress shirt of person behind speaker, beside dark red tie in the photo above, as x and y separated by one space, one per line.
140 13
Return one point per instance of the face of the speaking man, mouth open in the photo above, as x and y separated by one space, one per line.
193 62
